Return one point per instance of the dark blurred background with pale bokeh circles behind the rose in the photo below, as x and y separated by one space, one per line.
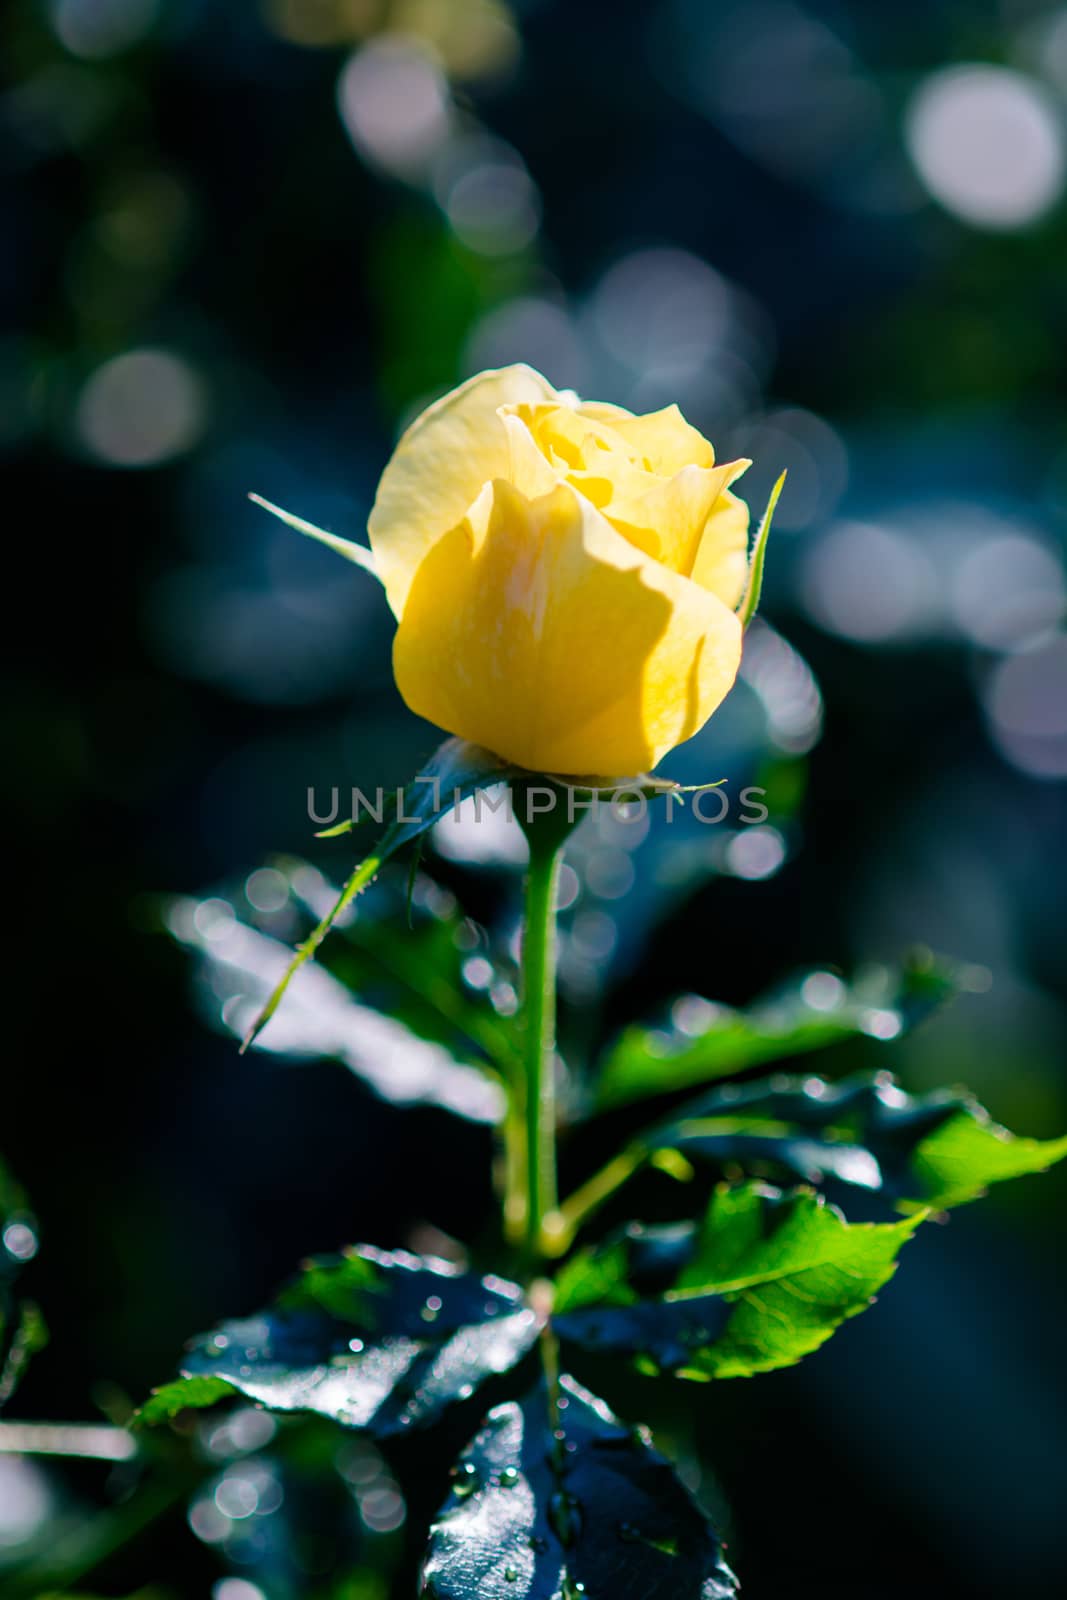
241 249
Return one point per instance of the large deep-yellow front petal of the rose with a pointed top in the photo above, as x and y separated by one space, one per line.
538 631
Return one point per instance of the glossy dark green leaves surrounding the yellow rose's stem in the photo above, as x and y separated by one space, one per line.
551 1506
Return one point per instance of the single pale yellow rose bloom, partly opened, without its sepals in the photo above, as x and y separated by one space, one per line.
565 575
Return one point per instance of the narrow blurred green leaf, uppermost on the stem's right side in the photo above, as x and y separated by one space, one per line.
709 1042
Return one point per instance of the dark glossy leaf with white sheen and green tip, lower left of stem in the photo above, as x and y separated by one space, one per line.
372 1340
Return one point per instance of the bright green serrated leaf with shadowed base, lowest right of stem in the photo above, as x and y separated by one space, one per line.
764 1281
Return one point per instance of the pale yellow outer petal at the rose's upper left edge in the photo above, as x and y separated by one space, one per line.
441 465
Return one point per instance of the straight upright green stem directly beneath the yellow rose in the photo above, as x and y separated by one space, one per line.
540 942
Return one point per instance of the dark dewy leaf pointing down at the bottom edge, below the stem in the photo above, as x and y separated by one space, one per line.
588 1508
